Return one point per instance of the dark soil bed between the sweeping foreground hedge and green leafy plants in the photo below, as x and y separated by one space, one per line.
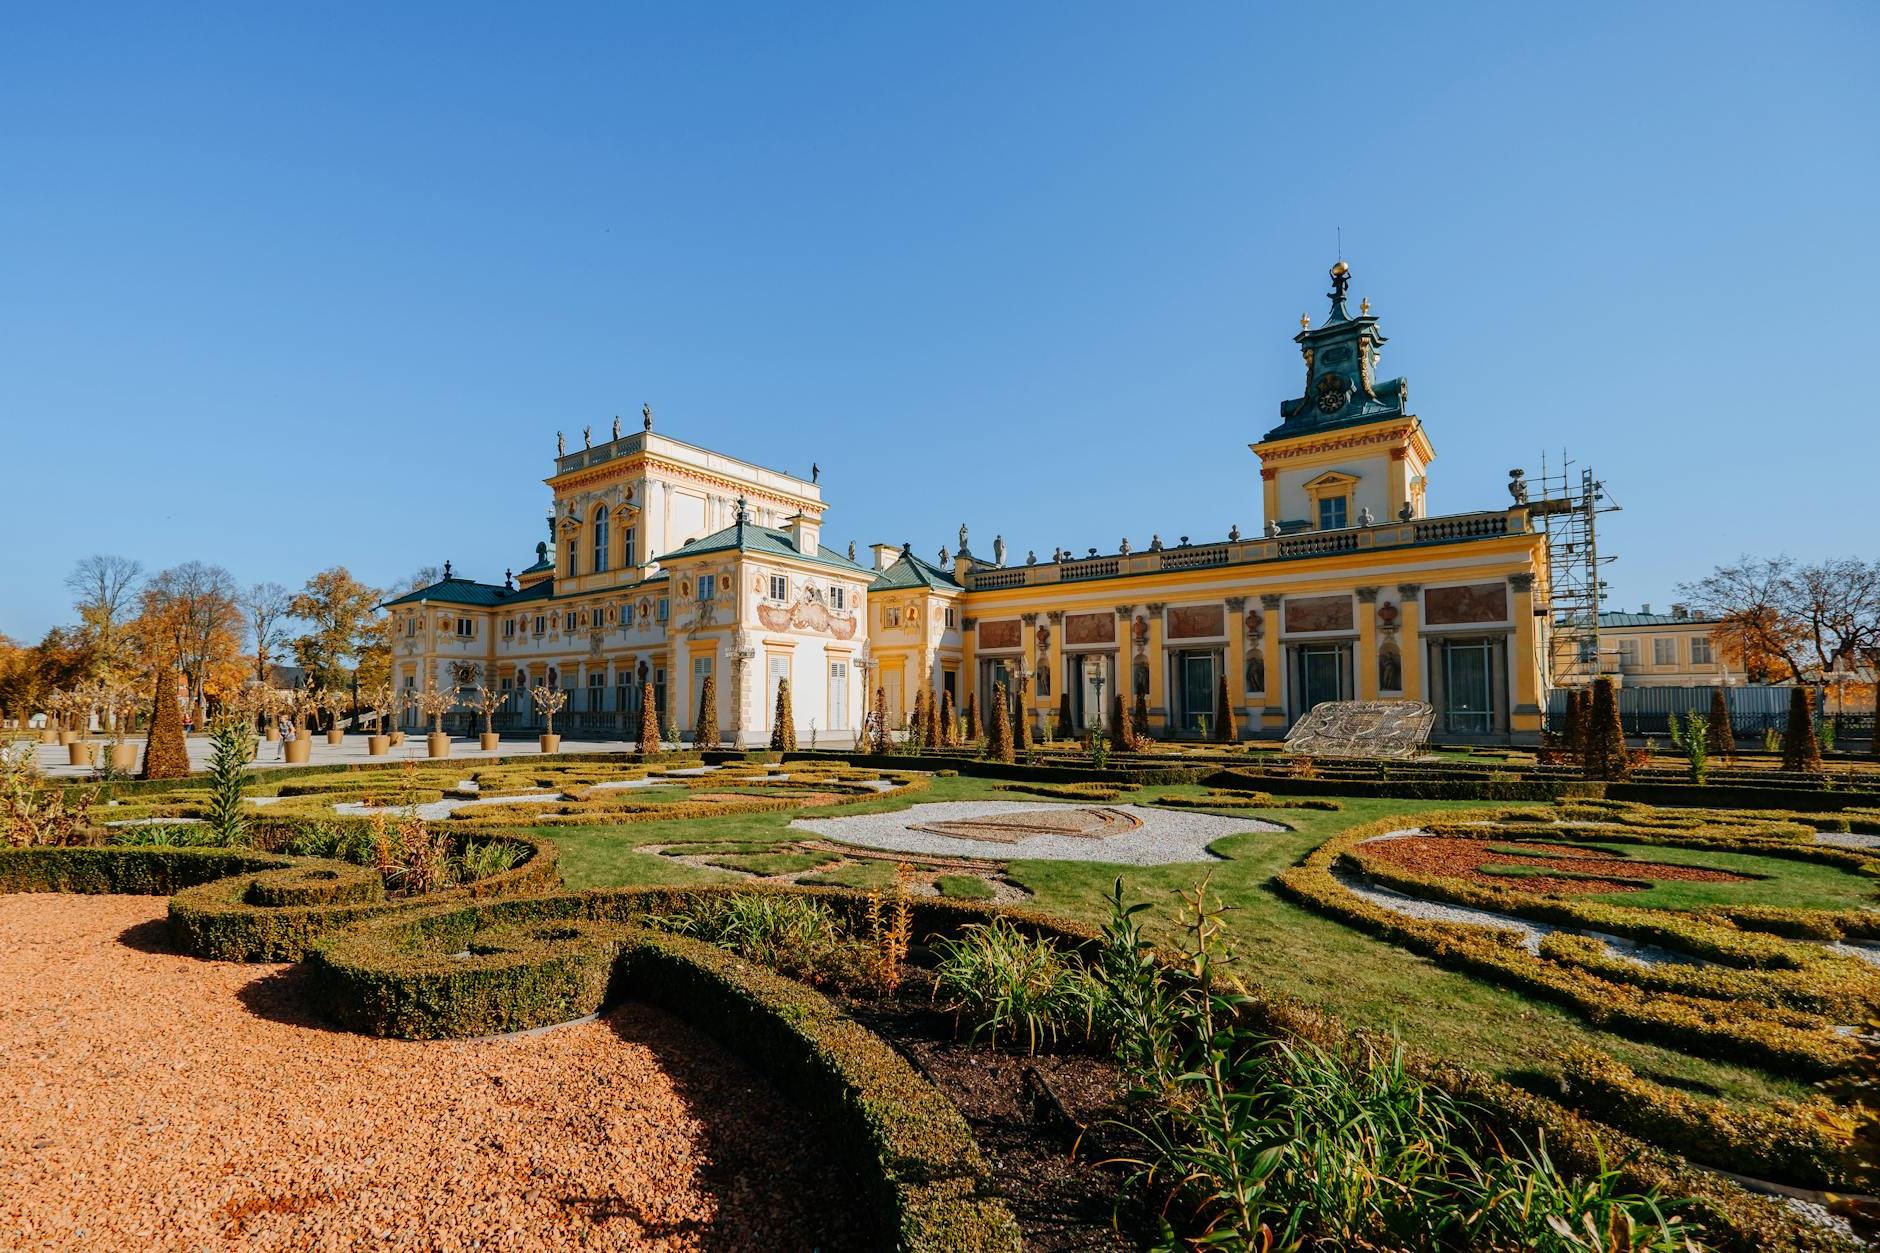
1042 1124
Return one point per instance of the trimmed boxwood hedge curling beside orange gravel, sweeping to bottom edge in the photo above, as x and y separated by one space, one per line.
514 966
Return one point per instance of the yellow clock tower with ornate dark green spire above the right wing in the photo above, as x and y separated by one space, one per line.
1349 449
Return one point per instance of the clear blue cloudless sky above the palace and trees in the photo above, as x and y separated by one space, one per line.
289 287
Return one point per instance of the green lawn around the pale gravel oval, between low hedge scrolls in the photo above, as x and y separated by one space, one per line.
1289 949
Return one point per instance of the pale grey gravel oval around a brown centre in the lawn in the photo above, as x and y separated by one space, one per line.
1165 836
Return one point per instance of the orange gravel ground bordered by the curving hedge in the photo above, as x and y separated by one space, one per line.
153 1102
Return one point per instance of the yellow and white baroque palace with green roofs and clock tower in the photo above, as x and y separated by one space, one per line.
668 563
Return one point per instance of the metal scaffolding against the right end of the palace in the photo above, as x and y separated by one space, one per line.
1569 505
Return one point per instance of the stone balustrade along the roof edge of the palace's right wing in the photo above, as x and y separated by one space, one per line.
1452 530
